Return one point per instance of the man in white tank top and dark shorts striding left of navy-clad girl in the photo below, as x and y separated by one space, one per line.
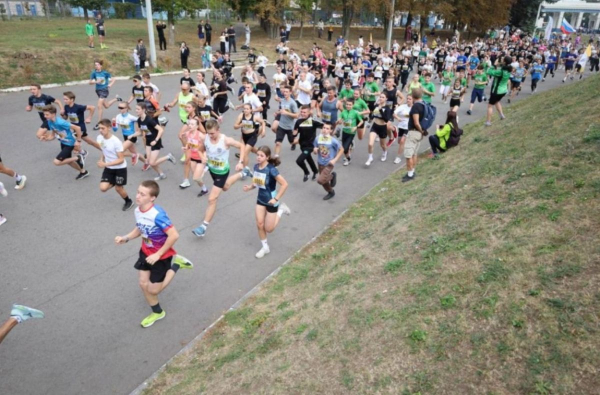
216 148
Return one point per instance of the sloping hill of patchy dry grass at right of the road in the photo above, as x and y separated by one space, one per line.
482 276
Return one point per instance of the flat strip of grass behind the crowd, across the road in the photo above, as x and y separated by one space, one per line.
56 51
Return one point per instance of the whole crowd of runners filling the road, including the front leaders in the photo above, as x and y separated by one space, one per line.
324 104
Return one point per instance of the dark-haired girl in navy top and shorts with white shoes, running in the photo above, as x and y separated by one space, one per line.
268 209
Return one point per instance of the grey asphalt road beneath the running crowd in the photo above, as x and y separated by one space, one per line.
58 254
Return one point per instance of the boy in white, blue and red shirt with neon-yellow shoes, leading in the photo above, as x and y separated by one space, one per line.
157 263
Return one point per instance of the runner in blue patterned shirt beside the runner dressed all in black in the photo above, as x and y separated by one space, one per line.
328 150
